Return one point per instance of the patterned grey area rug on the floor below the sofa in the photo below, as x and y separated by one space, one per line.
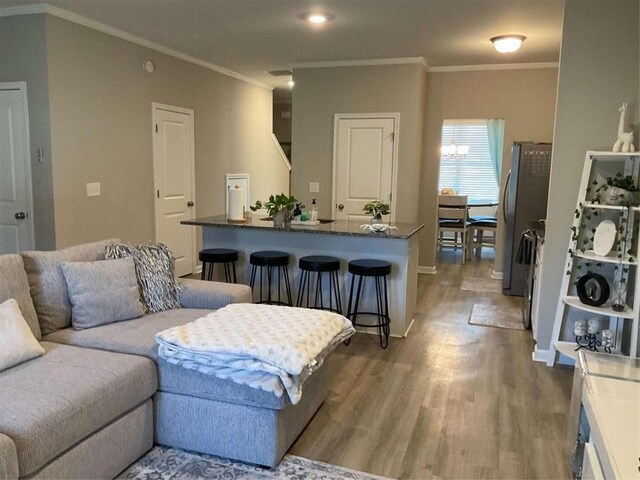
163 463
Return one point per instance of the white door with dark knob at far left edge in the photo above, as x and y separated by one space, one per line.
16 231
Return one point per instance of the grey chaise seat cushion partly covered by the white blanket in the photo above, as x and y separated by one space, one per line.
138 337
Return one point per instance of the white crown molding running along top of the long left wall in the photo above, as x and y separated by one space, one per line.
115 32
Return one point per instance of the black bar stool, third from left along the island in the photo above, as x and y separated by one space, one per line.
320 264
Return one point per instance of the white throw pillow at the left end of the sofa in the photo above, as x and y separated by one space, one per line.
17 343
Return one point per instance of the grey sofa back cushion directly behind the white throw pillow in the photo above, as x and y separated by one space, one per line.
14 284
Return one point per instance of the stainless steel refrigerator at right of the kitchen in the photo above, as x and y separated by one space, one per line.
524 202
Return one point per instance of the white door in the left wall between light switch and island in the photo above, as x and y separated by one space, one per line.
174 175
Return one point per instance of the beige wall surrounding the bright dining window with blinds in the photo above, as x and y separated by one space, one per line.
524 98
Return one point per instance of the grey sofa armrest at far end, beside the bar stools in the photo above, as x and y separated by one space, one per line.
212 295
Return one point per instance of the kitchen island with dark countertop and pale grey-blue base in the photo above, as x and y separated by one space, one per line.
343 239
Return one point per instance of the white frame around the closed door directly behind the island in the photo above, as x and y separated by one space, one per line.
394 160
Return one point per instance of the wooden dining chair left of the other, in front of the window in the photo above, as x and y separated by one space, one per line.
453 217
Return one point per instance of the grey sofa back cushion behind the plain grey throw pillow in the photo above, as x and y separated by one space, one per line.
48 288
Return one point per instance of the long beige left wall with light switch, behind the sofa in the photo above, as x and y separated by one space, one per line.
100 103
